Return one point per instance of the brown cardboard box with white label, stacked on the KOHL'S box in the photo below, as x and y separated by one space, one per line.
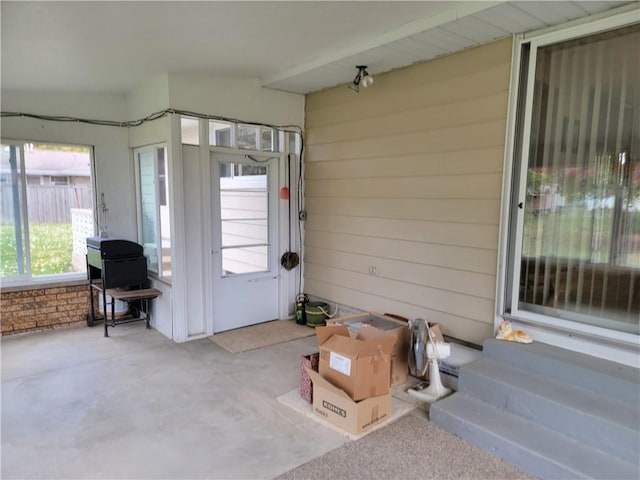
361 365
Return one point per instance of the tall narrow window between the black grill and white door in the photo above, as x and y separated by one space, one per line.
153 208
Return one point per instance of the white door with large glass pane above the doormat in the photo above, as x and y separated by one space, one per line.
245 240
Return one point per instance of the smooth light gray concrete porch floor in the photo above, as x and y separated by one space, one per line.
136 405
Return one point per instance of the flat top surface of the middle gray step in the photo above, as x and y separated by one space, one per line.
591 403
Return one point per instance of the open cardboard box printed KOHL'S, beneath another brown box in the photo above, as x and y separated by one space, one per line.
335 406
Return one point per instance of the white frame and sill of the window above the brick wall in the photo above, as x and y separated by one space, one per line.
27 279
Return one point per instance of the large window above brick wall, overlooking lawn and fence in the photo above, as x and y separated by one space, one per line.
46 210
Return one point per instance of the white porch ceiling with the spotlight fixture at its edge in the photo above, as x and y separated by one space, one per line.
303 46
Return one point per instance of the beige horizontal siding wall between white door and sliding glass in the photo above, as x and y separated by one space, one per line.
405 178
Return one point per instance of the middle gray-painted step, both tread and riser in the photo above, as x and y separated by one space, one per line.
588 417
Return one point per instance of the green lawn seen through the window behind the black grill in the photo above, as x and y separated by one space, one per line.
51 249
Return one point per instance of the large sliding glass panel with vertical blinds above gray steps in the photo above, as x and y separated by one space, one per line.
576 248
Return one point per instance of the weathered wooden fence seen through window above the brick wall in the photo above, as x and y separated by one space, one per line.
47 204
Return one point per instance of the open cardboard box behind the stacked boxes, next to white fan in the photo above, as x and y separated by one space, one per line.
400 352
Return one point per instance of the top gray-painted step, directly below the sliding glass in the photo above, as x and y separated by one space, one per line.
569 367
